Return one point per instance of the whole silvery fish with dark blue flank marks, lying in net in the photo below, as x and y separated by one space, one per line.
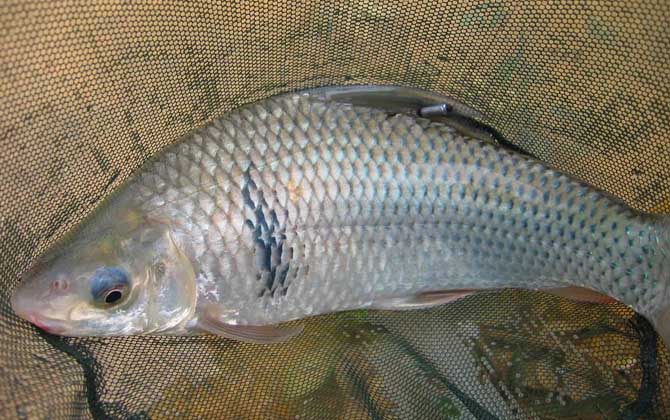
317 201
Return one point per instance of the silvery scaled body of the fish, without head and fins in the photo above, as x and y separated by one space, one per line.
297 206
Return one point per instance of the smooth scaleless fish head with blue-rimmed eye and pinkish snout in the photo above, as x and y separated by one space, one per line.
122 274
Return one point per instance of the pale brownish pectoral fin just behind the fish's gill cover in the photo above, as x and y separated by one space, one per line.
259 334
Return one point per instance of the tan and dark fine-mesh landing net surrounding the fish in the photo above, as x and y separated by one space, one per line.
92 89
